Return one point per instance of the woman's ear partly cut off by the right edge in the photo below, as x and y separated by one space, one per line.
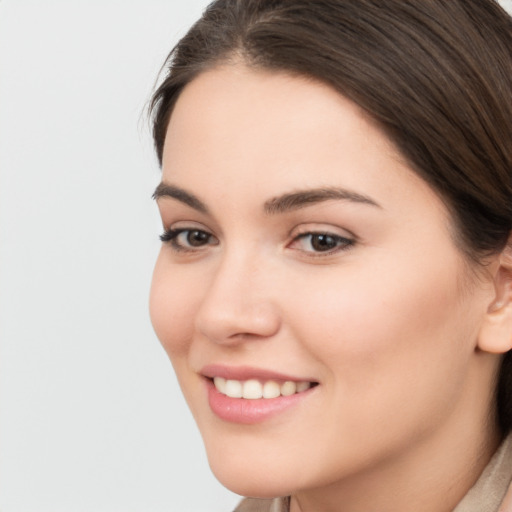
496 332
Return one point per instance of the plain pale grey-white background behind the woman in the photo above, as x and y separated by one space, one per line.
91 417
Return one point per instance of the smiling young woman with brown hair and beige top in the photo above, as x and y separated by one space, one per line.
334 288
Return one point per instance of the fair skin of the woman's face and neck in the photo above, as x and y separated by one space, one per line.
383 316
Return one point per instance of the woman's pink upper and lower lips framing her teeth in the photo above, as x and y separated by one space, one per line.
245 411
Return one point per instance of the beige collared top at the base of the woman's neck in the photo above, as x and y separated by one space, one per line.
485 496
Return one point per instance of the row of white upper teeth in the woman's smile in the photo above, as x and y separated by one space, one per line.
253 389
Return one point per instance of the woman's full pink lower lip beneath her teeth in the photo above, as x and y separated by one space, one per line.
247 411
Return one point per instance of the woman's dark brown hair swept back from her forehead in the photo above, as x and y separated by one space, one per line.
436 75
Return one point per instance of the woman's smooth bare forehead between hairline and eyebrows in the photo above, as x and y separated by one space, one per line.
267 133
